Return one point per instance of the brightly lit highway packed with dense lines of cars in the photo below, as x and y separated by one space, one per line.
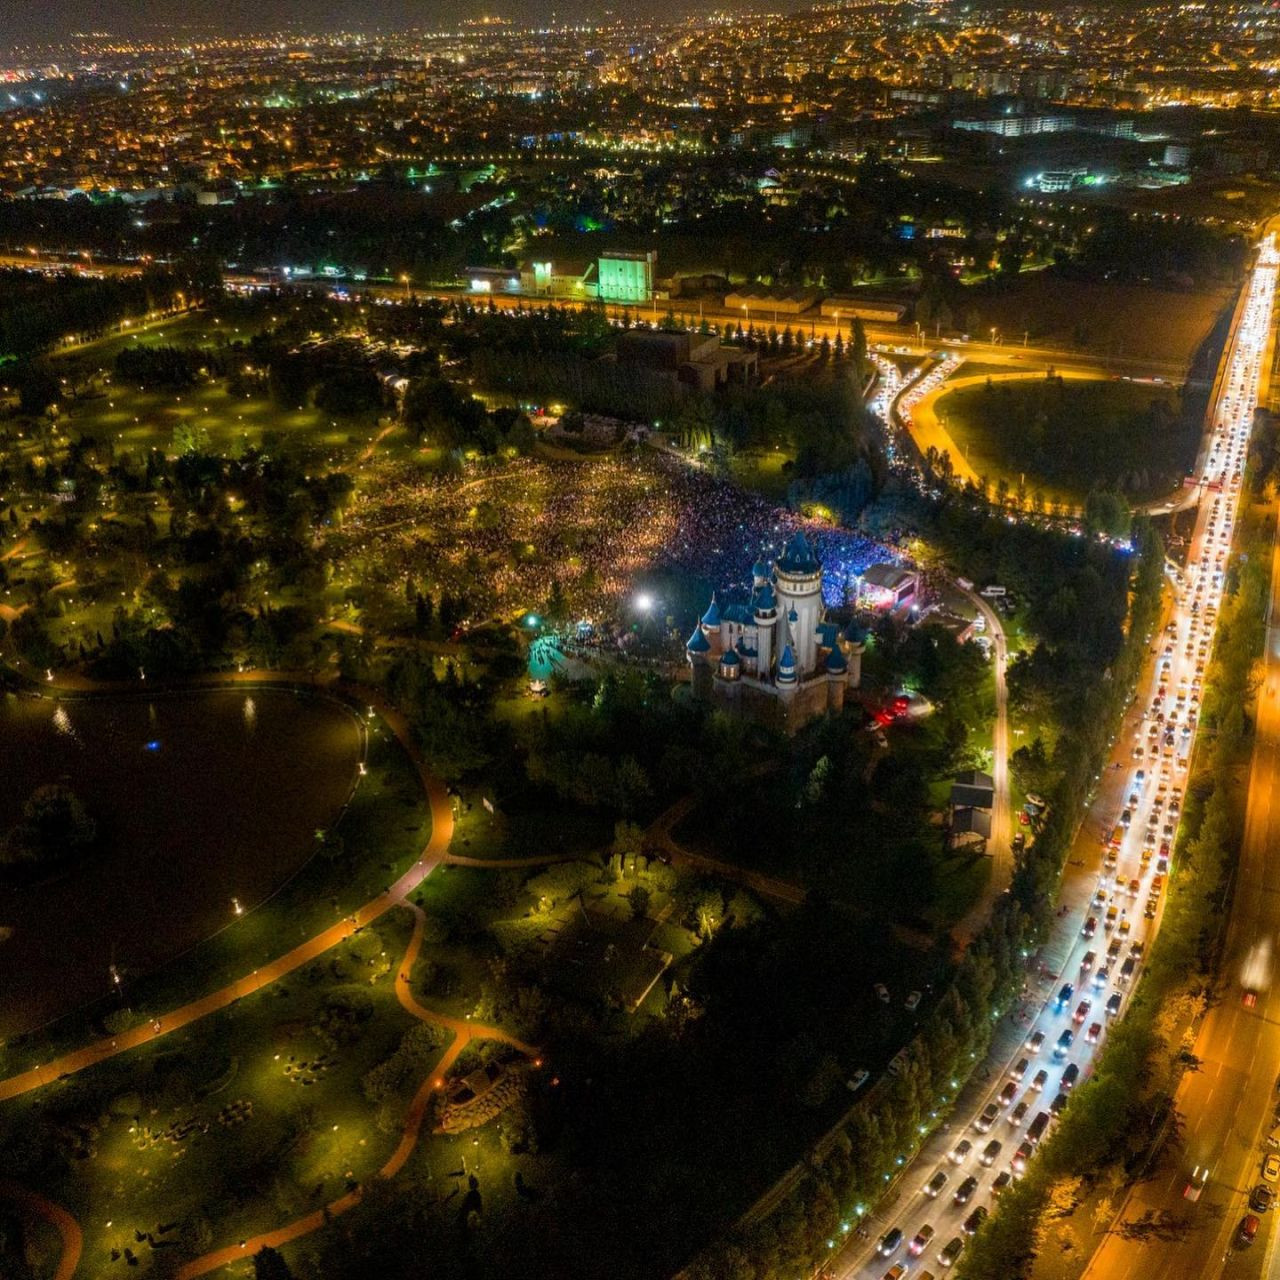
1098 949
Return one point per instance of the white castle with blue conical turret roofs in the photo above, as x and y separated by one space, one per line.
778 644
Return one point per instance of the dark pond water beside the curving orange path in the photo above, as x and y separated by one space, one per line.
200 798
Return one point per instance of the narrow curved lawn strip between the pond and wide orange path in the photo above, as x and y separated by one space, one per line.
383 829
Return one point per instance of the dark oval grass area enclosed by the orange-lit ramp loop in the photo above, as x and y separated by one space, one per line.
1064 438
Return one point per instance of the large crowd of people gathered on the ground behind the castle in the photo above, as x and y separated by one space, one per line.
520 533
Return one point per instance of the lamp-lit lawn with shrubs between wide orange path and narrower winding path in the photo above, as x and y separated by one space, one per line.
241 1171
